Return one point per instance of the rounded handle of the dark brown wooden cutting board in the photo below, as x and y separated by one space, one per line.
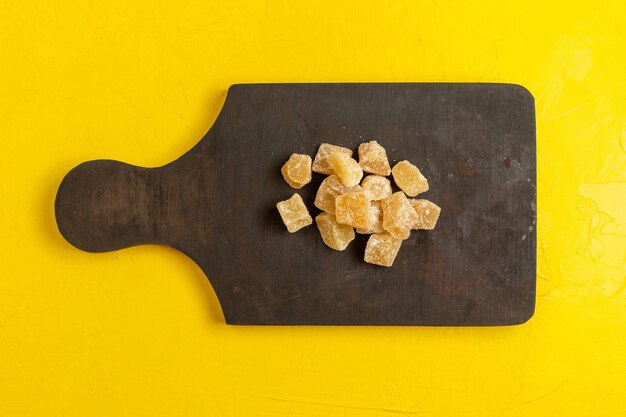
106 205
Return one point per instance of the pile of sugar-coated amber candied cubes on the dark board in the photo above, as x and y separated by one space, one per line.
349 201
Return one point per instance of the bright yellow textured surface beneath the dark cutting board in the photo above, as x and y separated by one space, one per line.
139 331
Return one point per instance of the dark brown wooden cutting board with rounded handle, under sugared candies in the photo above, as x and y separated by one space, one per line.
474 142
